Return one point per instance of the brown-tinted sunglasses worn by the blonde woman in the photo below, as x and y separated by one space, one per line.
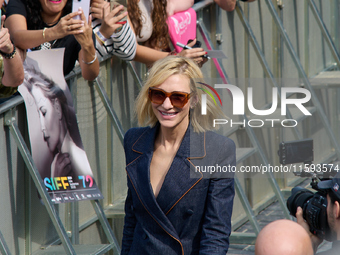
178 99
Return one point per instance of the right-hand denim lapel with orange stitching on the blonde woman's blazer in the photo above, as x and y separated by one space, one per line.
182 176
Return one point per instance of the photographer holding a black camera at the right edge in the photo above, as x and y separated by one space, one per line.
332 187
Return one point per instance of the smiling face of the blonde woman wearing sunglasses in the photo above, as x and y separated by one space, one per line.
168 115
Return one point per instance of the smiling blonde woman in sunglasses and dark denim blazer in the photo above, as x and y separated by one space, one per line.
171 208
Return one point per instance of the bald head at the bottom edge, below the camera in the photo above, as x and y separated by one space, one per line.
283 237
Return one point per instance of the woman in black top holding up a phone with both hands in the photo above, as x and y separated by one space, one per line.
44 24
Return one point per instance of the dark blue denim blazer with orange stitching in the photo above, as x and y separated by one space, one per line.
191 214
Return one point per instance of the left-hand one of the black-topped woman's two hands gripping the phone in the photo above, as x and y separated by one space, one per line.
66 26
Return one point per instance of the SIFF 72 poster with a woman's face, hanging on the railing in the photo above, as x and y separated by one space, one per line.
56 146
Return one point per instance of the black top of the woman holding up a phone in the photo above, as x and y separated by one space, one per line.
72 47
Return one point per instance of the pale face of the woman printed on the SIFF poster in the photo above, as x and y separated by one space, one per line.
49 116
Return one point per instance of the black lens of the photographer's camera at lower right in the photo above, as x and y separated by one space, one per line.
299 197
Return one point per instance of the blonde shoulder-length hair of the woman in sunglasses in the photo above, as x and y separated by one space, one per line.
162 70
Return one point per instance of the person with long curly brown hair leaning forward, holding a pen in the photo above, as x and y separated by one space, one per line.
148 19
